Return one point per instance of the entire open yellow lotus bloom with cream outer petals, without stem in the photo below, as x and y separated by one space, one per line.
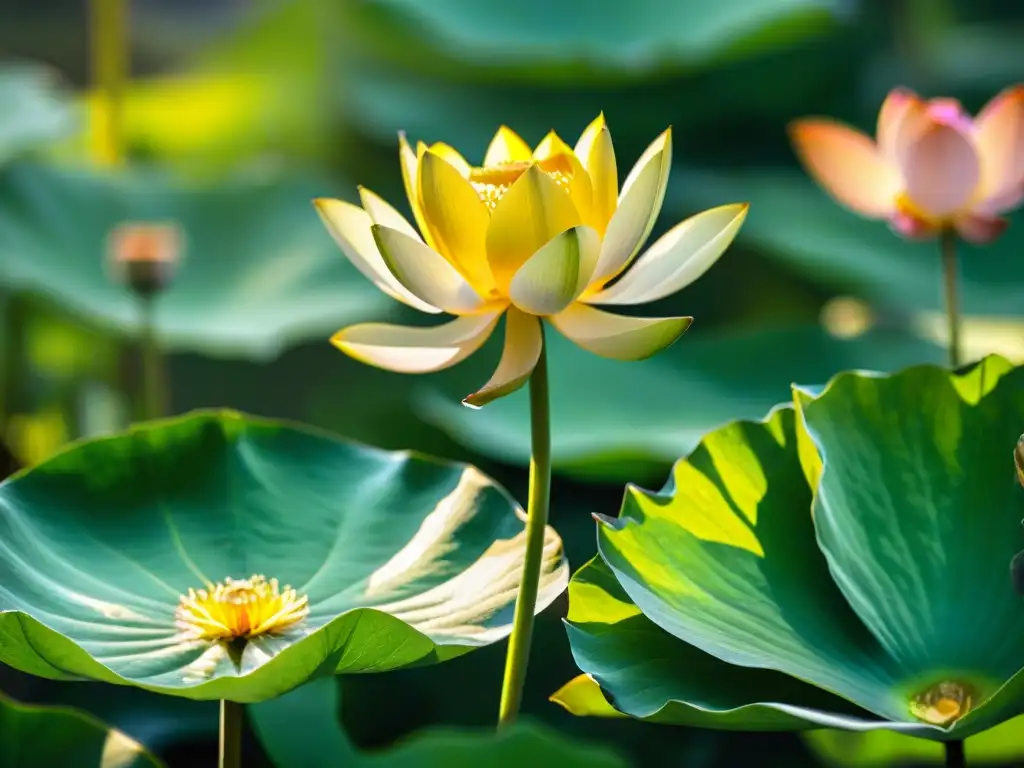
543 234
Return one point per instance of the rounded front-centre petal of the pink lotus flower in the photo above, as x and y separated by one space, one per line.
941 170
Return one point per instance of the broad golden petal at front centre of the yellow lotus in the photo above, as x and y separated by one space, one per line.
532 212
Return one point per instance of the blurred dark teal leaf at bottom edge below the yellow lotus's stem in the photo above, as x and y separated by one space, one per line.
317 706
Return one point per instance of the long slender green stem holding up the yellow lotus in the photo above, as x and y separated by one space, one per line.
537 522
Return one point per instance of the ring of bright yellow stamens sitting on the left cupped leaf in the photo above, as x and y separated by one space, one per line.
239 610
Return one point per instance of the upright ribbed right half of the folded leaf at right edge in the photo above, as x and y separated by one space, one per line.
920 517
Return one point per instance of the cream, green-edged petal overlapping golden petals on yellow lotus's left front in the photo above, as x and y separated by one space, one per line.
425 273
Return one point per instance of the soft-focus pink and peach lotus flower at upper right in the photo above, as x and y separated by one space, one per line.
931 168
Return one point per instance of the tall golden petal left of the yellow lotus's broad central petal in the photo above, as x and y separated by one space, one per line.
457 220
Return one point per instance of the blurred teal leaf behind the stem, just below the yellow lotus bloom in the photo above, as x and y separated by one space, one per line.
645 415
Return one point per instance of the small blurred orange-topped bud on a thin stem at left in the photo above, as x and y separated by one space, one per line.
145 257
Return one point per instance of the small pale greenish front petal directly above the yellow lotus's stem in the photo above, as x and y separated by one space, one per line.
550 280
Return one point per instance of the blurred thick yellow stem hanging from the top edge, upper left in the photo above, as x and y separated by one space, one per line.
109 65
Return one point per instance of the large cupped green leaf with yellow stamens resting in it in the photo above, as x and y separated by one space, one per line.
405 561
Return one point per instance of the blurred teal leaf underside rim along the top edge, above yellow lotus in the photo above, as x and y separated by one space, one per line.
541 40
